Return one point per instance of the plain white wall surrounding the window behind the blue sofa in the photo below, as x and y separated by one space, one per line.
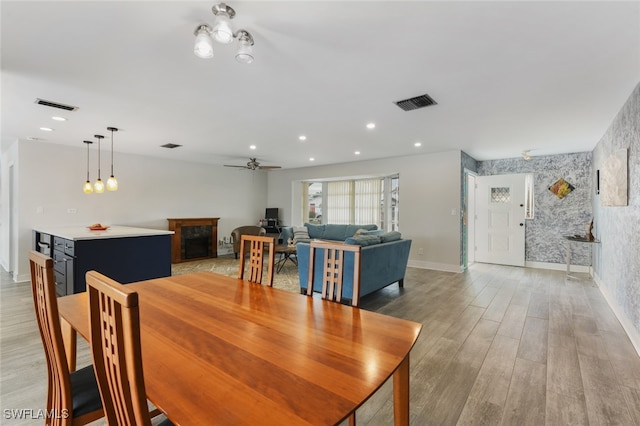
429 190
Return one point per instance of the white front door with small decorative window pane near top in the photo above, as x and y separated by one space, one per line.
500 222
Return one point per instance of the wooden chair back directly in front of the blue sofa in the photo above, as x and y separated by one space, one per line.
333 270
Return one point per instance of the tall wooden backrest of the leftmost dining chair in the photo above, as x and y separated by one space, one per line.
59 392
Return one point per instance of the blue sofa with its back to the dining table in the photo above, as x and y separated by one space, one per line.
383 259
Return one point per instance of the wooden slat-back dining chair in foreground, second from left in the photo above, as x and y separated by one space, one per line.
117 355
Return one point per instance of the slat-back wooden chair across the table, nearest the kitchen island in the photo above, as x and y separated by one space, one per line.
256 248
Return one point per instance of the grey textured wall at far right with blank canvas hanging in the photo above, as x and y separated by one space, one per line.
617 258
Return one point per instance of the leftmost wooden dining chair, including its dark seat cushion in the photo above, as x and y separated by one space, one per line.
73 398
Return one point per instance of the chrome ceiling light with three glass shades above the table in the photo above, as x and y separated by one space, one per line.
223 33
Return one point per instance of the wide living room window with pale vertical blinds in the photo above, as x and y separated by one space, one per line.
358 202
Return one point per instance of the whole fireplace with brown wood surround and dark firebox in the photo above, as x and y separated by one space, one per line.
193 239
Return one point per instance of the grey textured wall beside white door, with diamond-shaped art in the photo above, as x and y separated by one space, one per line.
554 217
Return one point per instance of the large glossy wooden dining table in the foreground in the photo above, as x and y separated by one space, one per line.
219 350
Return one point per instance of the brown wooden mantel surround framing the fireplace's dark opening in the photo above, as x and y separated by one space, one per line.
178 249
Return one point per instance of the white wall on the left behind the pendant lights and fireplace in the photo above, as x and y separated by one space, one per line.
50 178
